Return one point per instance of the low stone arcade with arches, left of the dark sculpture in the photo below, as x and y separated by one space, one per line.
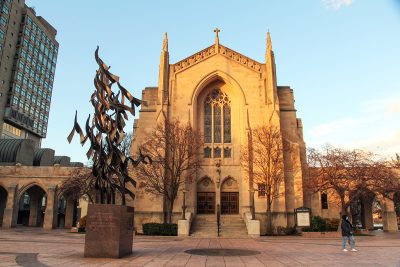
31 196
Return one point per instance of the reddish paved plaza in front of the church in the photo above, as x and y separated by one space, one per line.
36 247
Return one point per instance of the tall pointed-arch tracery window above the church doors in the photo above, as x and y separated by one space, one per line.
217 123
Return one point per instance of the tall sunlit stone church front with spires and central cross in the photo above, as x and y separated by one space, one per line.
223 94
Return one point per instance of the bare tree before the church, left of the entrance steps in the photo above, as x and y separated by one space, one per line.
175 150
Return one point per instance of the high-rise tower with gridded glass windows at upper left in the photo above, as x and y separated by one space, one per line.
28 55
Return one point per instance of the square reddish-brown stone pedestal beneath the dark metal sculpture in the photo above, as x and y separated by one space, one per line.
109 231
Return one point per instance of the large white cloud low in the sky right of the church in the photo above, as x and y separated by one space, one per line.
373 127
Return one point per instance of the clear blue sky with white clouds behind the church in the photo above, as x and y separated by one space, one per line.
341 57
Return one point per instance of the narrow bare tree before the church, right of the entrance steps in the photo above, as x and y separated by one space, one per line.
262 159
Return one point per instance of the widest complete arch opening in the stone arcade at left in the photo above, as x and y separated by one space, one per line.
31 207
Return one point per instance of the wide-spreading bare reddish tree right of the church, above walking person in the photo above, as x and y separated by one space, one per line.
350 174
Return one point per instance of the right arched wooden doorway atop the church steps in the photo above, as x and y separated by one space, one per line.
229 196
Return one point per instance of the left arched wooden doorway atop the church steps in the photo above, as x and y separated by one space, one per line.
205 196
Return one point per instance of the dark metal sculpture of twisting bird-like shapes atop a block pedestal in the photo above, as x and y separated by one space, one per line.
105 133
